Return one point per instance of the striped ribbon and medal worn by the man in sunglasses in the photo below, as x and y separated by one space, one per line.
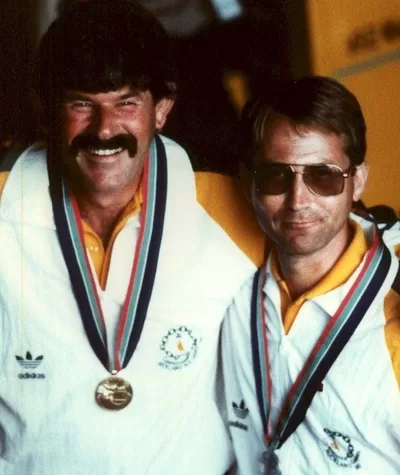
324 353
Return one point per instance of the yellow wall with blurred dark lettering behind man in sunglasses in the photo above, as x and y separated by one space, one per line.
358 43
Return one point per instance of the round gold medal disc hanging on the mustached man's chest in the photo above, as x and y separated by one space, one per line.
114 393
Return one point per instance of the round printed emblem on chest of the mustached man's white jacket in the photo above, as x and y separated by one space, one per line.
179 347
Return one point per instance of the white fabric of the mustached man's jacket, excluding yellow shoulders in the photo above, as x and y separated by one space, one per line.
50 423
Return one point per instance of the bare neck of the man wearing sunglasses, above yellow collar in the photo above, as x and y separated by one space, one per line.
302 272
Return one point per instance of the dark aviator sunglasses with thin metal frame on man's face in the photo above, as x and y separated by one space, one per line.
320 178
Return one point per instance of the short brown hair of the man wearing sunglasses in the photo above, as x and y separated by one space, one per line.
314 102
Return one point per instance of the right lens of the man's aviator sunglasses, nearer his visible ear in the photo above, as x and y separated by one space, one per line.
324 180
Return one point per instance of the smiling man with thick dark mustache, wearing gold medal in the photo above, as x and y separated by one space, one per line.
118 265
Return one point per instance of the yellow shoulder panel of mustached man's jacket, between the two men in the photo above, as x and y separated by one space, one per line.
224 200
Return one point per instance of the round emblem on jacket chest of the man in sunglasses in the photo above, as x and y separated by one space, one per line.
341 451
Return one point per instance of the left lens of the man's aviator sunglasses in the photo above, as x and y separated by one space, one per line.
273 179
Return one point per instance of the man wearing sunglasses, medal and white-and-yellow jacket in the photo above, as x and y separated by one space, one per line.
311 343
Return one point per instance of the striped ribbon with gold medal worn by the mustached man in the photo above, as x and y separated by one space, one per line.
114 392
